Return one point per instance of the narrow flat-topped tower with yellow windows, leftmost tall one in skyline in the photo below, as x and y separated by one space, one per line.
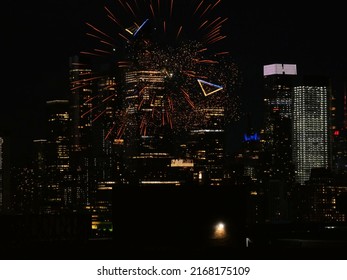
57 193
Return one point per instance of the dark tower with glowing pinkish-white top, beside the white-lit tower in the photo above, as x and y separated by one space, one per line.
276 138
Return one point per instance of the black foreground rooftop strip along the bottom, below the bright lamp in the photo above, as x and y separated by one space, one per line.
313 247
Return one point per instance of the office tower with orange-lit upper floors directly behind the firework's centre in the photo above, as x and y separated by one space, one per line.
147 144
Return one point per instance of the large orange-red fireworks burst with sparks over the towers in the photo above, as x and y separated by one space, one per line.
165 67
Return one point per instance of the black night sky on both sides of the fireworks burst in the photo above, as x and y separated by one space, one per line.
39 37
